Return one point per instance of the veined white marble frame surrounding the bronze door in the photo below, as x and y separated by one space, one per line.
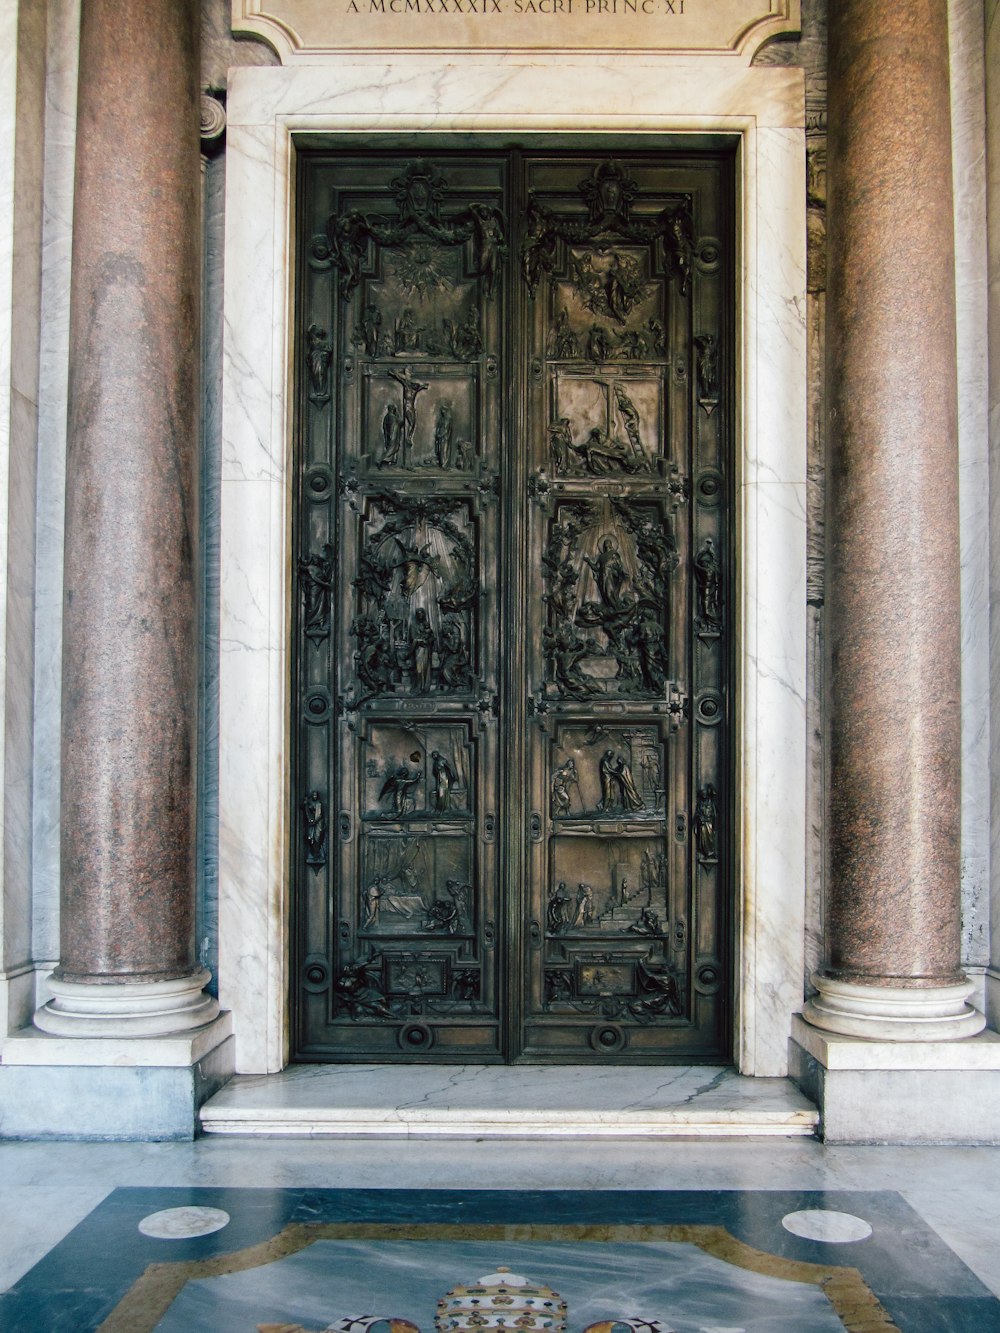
421 99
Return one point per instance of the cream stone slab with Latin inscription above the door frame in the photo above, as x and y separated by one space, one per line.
307 30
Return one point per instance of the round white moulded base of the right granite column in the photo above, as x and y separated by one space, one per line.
894 1014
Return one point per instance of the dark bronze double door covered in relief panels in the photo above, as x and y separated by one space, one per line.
513 704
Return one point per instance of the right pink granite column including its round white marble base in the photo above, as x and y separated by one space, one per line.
893 908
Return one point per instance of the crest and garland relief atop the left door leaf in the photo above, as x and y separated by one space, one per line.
419 195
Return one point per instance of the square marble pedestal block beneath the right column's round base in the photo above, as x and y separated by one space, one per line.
899 1092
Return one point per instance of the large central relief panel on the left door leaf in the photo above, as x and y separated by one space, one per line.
417 589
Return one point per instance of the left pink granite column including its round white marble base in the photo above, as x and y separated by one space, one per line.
127 944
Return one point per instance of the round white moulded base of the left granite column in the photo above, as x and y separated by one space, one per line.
127 1010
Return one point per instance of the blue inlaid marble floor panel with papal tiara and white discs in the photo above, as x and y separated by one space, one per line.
467 1262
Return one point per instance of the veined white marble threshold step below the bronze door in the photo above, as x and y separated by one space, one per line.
498 1102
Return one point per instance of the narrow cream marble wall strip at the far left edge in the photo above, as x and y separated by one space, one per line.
22 137
